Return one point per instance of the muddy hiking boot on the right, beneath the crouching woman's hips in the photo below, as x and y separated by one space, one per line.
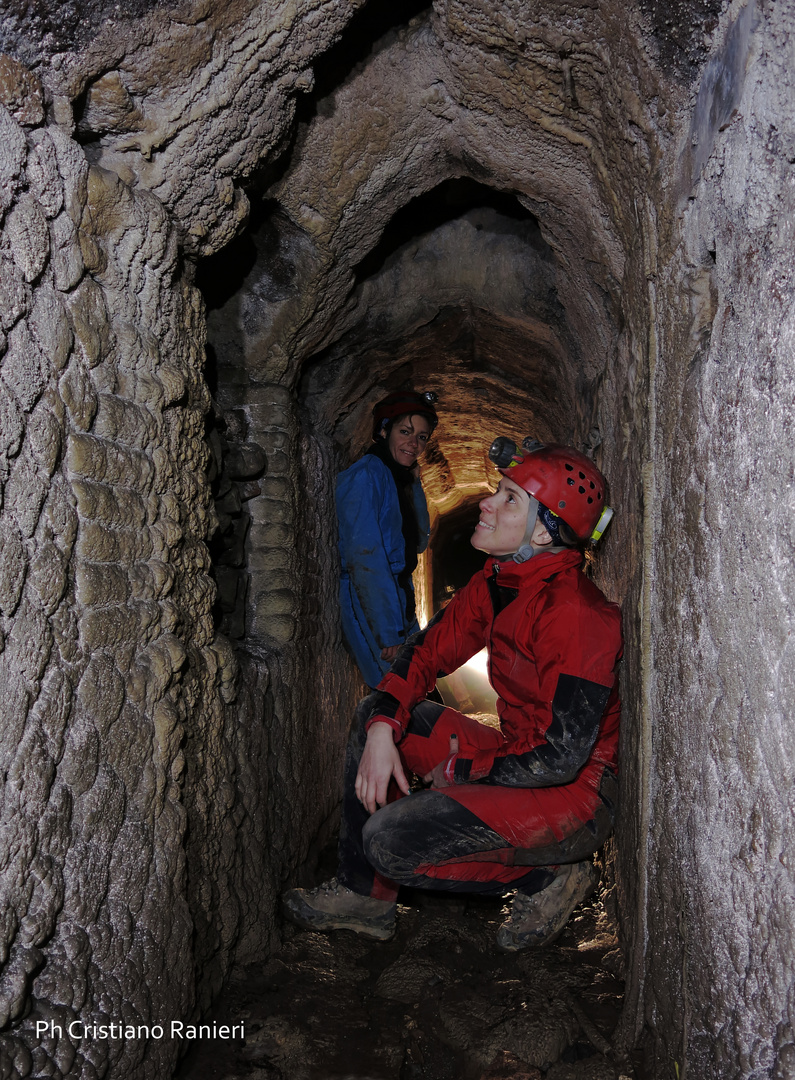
541 920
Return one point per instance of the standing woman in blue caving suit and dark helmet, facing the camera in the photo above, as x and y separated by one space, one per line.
384 525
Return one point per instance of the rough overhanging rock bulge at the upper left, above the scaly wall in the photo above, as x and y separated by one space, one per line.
188 102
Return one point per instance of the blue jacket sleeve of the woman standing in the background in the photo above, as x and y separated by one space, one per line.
365 544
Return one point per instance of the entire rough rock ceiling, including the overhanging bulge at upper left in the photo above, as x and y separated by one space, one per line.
335 127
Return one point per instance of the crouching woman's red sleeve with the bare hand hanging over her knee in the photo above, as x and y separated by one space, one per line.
451 639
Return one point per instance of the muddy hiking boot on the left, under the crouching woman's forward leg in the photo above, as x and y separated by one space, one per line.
332 907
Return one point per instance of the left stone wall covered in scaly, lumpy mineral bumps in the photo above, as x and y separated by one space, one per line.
118 738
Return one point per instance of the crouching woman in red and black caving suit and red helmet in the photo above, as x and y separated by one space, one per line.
521 807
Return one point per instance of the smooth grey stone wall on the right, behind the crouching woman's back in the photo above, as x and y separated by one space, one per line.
721 954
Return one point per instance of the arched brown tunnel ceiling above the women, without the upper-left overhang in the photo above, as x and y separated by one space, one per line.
531 141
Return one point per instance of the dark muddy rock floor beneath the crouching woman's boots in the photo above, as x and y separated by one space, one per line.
438 1003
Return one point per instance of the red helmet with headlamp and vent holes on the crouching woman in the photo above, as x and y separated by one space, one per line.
563 480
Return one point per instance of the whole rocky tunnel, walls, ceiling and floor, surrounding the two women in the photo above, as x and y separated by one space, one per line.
226 233
